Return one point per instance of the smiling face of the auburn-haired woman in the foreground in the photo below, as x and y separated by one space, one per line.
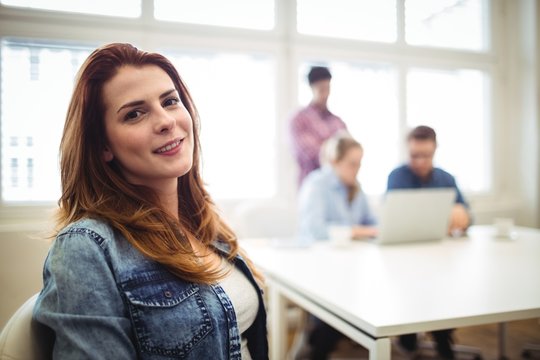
149 131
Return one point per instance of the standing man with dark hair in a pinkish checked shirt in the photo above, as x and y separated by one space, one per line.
312 125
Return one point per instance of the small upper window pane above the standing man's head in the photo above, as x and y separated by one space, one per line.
350 19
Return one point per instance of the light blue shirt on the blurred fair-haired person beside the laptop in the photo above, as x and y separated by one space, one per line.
323 200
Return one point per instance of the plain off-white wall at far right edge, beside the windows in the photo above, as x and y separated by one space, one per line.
521 126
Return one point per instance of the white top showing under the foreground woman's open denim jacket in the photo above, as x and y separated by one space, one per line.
244 299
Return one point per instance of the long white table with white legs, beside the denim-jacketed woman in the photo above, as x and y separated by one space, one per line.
371 292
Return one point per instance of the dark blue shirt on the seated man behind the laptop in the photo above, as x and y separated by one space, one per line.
404 178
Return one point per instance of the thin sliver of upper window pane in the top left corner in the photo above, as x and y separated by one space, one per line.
121 8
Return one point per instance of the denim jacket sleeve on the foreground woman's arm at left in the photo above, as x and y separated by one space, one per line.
81 304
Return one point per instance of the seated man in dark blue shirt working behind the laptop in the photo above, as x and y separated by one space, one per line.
420 173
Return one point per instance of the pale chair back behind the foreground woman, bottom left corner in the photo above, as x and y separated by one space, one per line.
21 339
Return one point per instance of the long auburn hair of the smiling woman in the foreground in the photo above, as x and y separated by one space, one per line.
93 188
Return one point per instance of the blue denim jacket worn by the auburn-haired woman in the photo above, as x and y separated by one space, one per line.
102 299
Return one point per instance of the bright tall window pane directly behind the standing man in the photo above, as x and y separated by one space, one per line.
365 97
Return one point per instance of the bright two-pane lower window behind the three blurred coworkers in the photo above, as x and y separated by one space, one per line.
453 102
